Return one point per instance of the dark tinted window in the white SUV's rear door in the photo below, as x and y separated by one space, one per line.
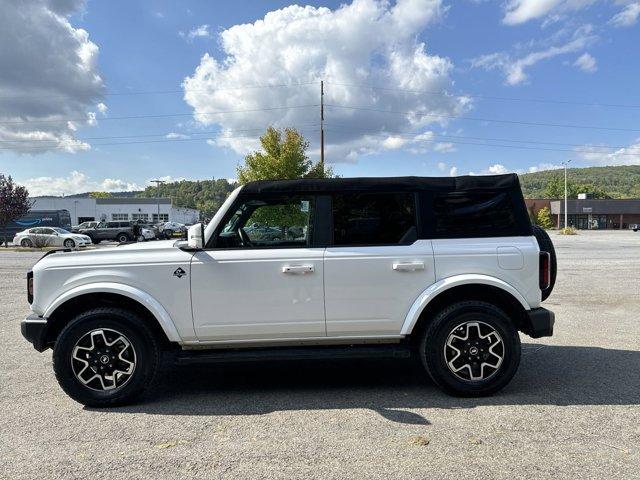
374 219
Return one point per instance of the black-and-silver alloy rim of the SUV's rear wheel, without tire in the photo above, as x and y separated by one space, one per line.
474 351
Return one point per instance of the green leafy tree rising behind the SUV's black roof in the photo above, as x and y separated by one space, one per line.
284 156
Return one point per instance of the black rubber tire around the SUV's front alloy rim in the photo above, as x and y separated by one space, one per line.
145 345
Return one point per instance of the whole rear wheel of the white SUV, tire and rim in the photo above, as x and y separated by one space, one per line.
471 349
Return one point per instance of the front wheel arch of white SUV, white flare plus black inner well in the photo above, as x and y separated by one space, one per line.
91 296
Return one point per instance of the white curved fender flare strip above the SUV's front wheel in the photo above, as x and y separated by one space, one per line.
150 303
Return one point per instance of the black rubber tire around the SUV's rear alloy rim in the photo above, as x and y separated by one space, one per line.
433 349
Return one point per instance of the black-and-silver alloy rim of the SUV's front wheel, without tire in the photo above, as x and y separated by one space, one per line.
103 359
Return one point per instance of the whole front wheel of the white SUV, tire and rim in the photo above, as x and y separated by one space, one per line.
106 357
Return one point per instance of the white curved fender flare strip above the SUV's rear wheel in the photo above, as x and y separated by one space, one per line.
450 282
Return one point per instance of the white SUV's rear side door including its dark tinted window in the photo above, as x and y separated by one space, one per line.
376 266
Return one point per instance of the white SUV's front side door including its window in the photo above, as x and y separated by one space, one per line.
260 277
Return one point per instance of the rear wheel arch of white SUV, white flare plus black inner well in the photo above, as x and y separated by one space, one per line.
464 287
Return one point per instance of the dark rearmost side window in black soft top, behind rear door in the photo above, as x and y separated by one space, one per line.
474 214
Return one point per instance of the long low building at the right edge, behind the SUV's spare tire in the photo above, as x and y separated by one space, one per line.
591 213
